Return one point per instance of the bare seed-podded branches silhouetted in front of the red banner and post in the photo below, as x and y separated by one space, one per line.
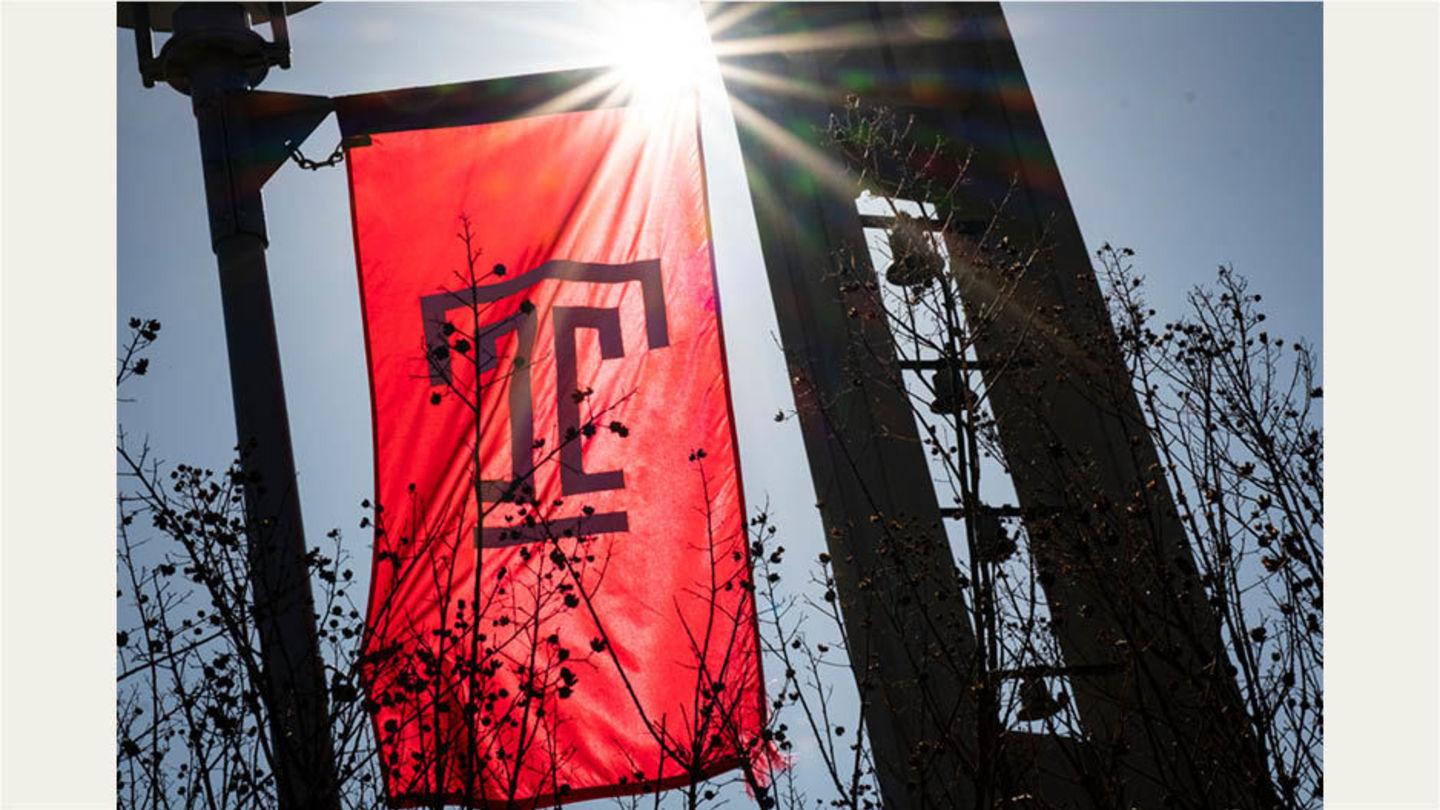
476 685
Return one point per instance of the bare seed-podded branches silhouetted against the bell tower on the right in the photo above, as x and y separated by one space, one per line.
1228 406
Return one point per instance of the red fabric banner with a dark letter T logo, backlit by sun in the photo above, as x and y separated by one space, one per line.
561 605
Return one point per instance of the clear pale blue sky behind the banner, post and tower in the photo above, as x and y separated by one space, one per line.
1189 133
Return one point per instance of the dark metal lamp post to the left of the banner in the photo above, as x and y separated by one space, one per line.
215 58
